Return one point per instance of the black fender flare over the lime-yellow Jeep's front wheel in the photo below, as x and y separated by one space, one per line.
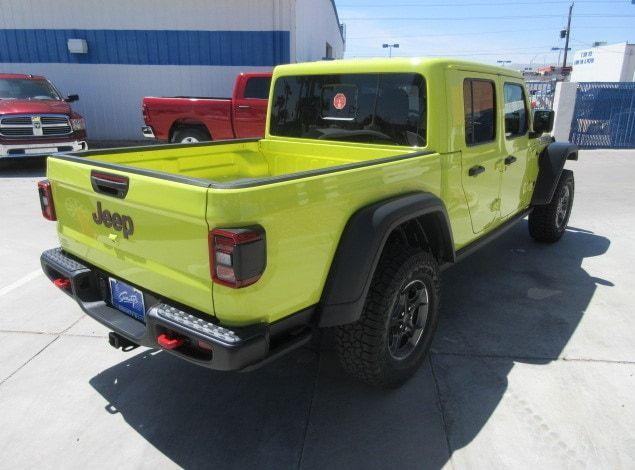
550 165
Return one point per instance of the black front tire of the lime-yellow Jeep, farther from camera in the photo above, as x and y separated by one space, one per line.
548 223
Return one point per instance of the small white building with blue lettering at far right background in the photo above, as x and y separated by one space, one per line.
606 63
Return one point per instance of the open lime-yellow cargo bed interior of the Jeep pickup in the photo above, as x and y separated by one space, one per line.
238 163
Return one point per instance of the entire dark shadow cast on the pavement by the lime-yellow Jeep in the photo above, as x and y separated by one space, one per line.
515 300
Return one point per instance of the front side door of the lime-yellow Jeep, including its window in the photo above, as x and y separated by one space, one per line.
515 186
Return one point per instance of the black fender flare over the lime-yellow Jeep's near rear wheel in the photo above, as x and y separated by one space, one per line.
361 246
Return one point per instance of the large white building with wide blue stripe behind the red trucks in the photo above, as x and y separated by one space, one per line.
136 48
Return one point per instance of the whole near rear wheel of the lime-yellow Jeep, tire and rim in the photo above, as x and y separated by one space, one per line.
386 346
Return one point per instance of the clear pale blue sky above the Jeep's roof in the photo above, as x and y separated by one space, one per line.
521 31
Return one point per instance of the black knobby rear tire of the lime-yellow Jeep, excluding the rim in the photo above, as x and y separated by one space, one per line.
363 346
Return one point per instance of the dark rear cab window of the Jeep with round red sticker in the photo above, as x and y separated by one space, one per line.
387 108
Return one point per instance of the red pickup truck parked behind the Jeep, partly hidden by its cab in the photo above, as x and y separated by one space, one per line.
196 119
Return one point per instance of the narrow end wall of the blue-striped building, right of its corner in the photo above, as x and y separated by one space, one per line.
315 20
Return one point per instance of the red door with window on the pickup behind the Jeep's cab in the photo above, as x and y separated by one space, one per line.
250 107
